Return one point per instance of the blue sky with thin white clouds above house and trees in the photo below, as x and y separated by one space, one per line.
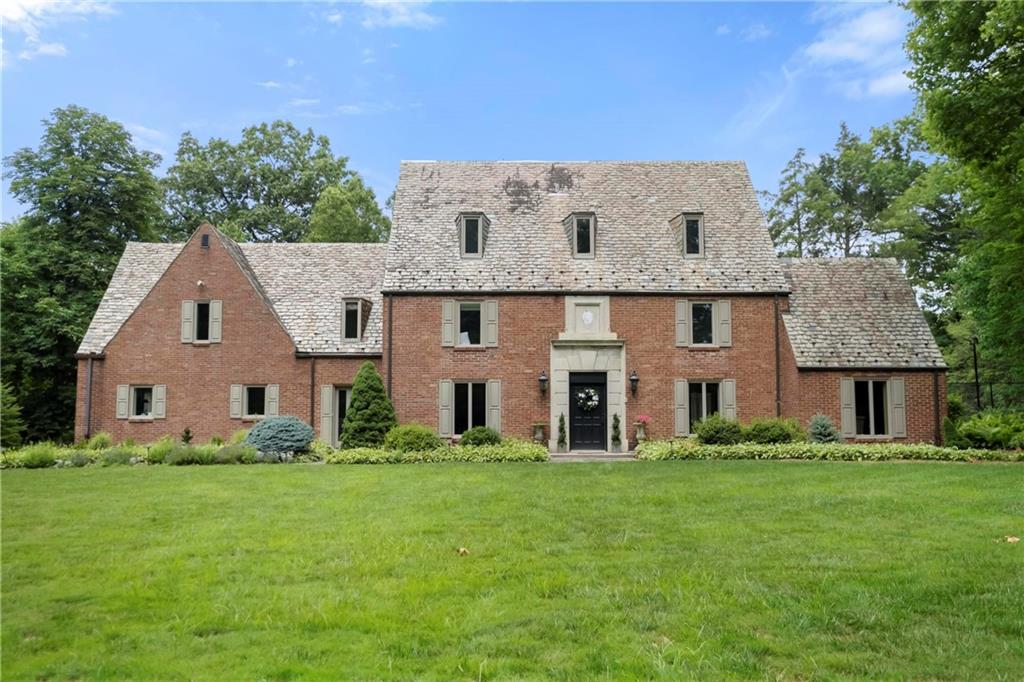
389 82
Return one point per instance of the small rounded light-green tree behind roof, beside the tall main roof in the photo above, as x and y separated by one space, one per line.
349 212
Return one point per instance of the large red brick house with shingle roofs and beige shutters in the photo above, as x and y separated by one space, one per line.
513 294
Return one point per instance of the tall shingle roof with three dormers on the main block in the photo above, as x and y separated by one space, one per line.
528 248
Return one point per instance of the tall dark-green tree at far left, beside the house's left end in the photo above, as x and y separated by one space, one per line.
89 191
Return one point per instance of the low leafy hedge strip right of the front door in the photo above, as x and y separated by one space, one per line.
688 449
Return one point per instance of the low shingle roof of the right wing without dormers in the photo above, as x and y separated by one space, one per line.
856 313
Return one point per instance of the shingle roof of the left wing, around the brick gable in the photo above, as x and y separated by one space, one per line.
305 285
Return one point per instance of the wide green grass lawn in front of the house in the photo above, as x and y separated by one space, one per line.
673 570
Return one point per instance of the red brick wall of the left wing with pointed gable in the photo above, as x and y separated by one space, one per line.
254 351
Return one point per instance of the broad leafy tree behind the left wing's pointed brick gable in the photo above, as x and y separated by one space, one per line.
262 190
